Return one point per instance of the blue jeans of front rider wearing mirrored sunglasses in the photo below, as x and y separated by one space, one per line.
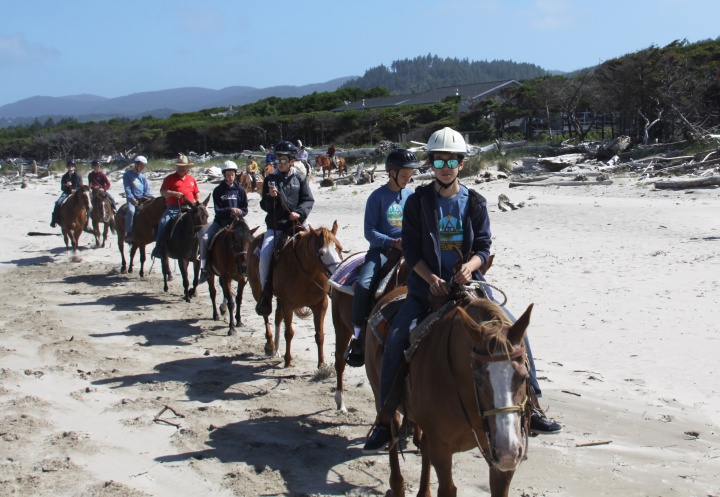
413 311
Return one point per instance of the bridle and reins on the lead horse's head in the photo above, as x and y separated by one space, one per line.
524 408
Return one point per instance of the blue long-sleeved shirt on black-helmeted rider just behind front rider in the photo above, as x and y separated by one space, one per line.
383 216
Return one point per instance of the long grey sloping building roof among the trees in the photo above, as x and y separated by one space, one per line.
475 91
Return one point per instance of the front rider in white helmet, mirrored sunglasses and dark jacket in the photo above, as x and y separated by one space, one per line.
438 218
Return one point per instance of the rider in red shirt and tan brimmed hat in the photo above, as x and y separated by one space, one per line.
177 188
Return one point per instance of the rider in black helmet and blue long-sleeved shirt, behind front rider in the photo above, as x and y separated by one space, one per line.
383 224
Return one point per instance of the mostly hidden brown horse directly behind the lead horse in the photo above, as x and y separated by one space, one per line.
341 309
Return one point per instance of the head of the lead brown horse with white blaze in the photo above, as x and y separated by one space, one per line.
501 378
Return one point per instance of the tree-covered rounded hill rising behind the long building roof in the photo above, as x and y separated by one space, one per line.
430 71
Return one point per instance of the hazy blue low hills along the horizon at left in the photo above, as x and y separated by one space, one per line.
156 103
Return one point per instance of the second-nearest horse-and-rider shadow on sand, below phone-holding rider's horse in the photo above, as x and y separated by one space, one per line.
207 379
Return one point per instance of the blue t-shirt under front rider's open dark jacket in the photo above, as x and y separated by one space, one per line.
451 212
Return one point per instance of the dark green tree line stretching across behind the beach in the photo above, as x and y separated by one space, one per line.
656 94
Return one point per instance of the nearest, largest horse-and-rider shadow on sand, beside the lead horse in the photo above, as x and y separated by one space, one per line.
282 443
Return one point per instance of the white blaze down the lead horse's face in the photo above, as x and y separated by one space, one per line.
506 444
